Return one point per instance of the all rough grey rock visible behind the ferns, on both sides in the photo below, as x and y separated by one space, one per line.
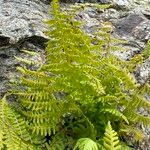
21 27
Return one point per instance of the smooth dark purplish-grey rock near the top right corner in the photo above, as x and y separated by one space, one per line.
136 24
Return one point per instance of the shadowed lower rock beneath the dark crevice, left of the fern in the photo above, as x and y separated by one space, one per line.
8 63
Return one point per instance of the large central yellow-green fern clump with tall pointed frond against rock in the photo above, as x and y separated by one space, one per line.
99 86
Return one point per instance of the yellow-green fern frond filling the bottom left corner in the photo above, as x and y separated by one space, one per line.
13 129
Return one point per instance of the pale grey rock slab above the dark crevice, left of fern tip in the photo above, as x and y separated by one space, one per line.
21 19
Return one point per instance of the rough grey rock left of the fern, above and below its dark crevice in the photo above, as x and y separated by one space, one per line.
20 26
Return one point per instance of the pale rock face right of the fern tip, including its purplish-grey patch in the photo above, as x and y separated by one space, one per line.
132 25
